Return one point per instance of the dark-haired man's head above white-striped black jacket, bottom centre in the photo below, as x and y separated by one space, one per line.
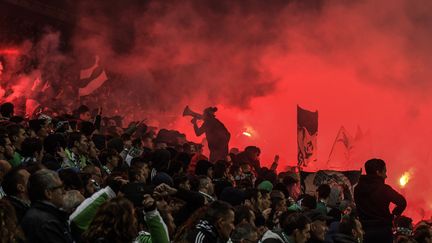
221 216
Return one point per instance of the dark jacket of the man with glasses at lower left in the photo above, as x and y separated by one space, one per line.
45 223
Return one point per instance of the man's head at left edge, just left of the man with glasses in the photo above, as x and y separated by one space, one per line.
15 182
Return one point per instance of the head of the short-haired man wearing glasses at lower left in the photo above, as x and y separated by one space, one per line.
45 185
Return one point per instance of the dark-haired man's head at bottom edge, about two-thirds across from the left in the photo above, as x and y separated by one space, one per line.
296 225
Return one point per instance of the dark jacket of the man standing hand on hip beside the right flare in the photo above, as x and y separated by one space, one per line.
373 198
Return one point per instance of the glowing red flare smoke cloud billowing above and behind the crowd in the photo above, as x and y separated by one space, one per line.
361 64
